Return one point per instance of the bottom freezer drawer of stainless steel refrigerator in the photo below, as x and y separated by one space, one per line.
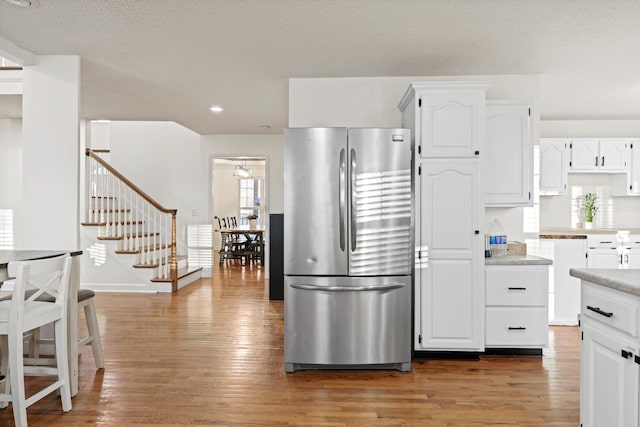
347 322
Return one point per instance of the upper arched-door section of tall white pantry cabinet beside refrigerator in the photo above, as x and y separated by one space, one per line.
449 118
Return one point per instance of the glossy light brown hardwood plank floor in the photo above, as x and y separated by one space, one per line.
213 355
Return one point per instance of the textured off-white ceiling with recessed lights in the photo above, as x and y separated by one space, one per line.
171 59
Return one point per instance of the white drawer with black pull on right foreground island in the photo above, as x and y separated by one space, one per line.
606 307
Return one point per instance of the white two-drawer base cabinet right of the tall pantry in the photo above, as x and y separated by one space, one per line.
516 306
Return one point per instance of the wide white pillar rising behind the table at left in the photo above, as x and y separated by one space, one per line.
49 217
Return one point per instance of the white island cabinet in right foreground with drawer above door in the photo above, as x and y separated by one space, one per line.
609 358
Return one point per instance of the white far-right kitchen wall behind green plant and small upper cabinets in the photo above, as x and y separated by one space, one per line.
615 212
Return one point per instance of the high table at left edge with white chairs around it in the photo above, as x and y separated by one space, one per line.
7 256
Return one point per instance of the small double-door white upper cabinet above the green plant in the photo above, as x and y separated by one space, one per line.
599 155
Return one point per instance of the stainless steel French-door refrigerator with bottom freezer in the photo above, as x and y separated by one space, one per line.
347 248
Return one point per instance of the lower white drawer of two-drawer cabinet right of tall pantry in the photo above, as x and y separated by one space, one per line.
516 327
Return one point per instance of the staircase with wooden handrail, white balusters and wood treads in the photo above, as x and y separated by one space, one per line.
133 225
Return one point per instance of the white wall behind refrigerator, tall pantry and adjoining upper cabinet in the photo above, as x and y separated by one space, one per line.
373 102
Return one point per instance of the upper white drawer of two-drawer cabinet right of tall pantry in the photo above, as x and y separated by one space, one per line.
516 287
